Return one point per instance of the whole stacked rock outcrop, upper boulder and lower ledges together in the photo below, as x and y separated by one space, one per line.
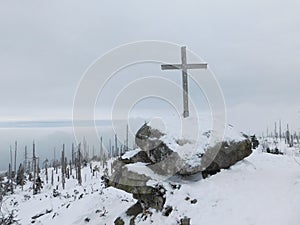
141 171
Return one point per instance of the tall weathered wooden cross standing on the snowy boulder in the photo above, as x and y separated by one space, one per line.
184 67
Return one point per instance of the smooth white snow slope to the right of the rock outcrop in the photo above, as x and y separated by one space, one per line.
264 189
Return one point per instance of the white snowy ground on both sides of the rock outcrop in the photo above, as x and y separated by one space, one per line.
262 189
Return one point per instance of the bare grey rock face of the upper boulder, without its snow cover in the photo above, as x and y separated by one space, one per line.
166 161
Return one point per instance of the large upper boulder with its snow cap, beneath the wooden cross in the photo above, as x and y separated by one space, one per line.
187 153
